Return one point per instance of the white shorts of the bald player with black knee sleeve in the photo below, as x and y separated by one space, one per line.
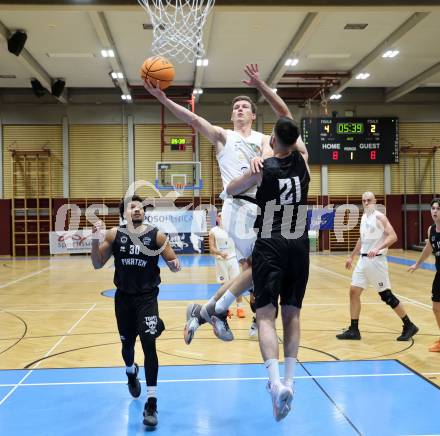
371 272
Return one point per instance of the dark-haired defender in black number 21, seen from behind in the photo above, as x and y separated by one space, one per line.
281 254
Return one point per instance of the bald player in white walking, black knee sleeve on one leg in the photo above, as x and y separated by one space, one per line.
376 235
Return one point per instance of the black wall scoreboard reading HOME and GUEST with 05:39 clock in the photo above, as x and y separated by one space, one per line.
351 140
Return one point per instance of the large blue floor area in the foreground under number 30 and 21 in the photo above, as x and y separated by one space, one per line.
331 398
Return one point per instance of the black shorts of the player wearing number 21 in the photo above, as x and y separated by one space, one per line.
280 268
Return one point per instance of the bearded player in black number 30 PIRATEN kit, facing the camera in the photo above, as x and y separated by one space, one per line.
136 248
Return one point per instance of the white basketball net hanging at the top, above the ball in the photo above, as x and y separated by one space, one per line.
178 27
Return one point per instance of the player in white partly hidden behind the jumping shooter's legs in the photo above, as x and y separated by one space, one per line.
222 246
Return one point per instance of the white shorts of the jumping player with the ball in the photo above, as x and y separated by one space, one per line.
238 218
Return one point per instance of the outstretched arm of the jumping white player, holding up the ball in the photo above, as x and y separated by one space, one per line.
215 134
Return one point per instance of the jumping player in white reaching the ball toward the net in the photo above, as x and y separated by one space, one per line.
235 150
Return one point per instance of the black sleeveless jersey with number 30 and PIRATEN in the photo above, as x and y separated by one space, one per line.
135 271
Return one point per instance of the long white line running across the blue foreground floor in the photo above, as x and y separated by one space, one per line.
192 380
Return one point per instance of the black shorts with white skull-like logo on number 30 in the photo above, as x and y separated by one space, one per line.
137 315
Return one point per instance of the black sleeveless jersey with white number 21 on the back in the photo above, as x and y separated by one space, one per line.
282 197
